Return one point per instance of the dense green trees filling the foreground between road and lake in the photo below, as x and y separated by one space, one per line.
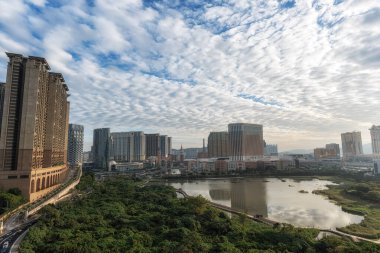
120 215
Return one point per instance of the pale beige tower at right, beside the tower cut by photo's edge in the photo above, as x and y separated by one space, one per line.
352 144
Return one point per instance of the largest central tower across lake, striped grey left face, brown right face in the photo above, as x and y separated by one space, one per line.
245 141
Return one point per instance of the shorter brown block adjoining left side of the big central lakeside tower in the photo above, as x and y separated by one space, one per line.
217 145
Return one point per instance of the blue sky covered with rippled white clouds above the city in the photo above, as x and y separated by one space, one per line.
307 70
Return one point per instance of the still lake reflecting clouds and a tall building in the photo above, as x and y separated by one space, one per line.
277 199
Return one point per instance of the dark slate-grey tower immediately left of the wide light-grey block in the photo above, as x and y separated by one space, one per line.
101 149
